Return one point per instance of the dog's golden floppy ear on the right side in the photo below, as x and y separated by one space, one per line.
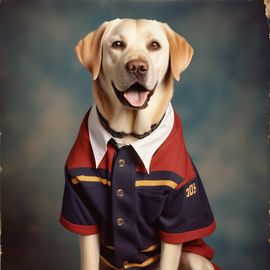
180 52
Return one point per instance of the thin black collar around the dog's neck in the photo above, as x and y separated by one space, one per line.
122 134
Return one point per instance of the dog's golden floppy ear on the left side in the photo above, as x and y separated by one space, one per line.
89 50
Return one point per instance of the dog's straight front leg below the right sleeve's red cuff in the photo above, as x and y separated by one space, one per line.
170 256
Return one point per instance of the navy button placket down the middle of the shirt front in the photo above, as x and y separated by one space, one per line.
123 188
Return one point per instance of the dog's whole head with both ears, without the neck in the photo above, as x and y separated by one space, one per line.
133 57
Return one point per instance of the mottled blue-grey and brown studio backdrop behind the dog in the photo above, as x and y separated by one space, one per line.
222 98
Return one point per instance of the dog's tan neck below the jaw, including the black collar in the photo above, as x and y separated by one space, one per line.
132 124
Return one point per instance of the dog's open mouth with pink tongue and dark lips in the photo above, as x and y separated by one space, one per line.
135 96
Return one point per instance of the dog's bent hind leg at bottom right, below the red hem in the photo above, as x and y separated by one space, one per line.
191 261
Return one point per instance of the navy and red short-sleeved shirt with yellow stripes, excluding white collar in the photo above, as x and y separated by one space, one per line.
134 207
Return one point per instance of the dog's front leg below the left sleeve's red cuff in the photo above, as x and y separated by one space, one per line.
89 247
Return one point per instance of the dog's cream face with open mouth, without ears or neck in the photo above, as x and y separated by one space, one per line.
135 61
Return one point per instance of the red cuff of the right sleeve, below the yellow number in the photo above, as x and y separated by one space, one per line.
178 238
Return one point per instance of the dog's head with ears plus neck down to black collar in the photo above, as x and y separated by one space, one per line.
133 63
